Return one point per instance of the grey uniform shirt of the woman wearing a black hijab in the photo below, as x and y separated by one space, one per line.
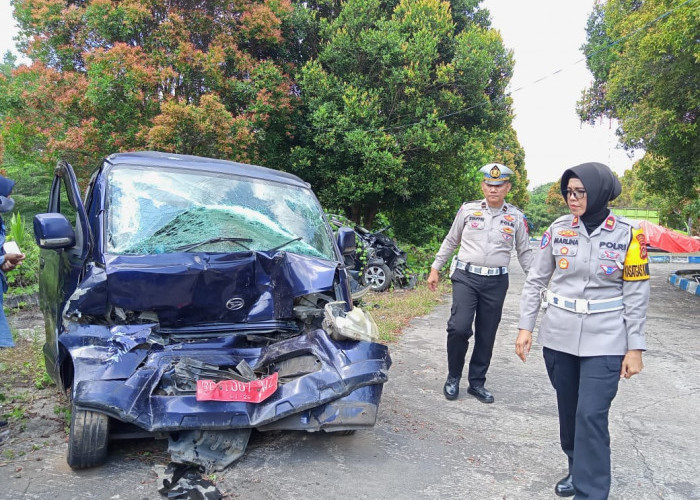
585 267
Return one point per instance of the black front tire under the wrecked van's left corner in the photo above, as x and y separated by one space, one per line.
87 443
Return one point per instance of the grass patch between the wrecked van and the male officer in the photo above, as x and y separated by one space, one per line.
394 310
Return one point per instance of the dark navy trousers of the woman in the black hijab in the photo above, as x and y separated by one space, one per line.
585 388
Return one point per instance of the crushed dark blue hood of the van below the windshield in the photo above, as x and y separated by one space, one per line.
186 289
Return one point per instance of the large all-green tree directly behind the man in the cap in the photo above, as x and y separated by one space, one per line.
405 102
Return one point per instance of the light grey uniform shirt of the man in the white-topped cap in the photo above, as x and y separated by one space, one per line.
485 238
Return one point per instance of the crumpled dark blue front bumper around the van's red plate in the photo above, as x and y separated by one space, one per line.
113 376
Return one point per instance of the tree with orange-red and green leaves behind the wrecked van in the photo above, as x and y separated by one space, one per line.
204 78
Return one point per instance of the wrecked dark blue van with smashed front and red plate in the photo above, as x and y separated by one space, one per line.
194 300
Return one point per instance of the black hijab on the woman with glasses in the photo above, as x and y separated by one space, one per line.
601 186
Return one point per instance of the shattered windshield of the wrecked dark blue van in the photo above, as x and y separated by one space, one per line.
153 211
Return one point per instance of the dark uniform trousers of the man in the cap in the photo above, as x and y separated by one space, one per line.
473 296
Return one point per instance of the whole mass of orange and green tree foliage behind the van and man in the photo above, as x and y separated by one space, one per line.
384 107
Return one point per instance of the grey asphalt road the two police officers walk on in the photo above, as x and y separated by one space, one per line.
424 446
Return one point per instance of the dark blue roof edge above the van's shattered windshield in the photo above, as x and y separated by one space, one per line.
172 160
